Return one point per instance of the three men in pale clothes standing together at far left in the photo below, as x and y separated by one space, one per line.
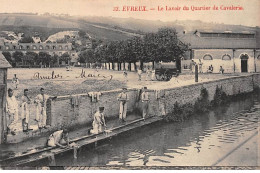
12 111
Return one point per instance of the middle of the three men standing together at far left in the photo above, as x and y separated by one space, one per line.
25 112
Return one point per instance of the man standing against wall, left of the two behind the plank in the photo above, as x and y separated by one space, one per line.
122 98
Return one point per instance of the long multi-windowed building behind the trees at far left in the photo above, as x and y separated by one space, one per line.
51 48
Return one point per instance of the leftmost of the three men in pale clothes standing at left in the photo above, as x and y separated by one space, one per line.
11 112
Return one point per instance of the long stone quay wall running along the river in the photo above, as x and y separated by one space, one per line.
63 111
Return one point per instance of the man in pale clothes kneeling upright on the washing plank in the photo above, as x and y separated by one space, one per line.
99 123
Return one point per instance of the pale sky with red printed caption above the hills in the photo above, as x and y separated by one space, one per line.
249 16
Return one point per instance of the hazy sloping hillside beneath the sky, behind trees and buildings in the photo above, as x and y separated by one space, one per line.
105 28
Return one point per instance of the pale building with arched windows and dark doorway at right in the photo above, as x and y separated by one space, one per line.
234 51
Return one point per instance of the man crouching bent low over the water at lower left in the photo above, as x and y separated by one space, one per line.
59 138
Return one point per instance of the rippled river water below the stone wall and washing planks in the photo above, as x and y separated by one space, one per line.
202 140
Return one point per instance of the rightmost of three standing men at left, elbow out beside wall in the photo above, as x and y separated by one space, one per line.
41 101
